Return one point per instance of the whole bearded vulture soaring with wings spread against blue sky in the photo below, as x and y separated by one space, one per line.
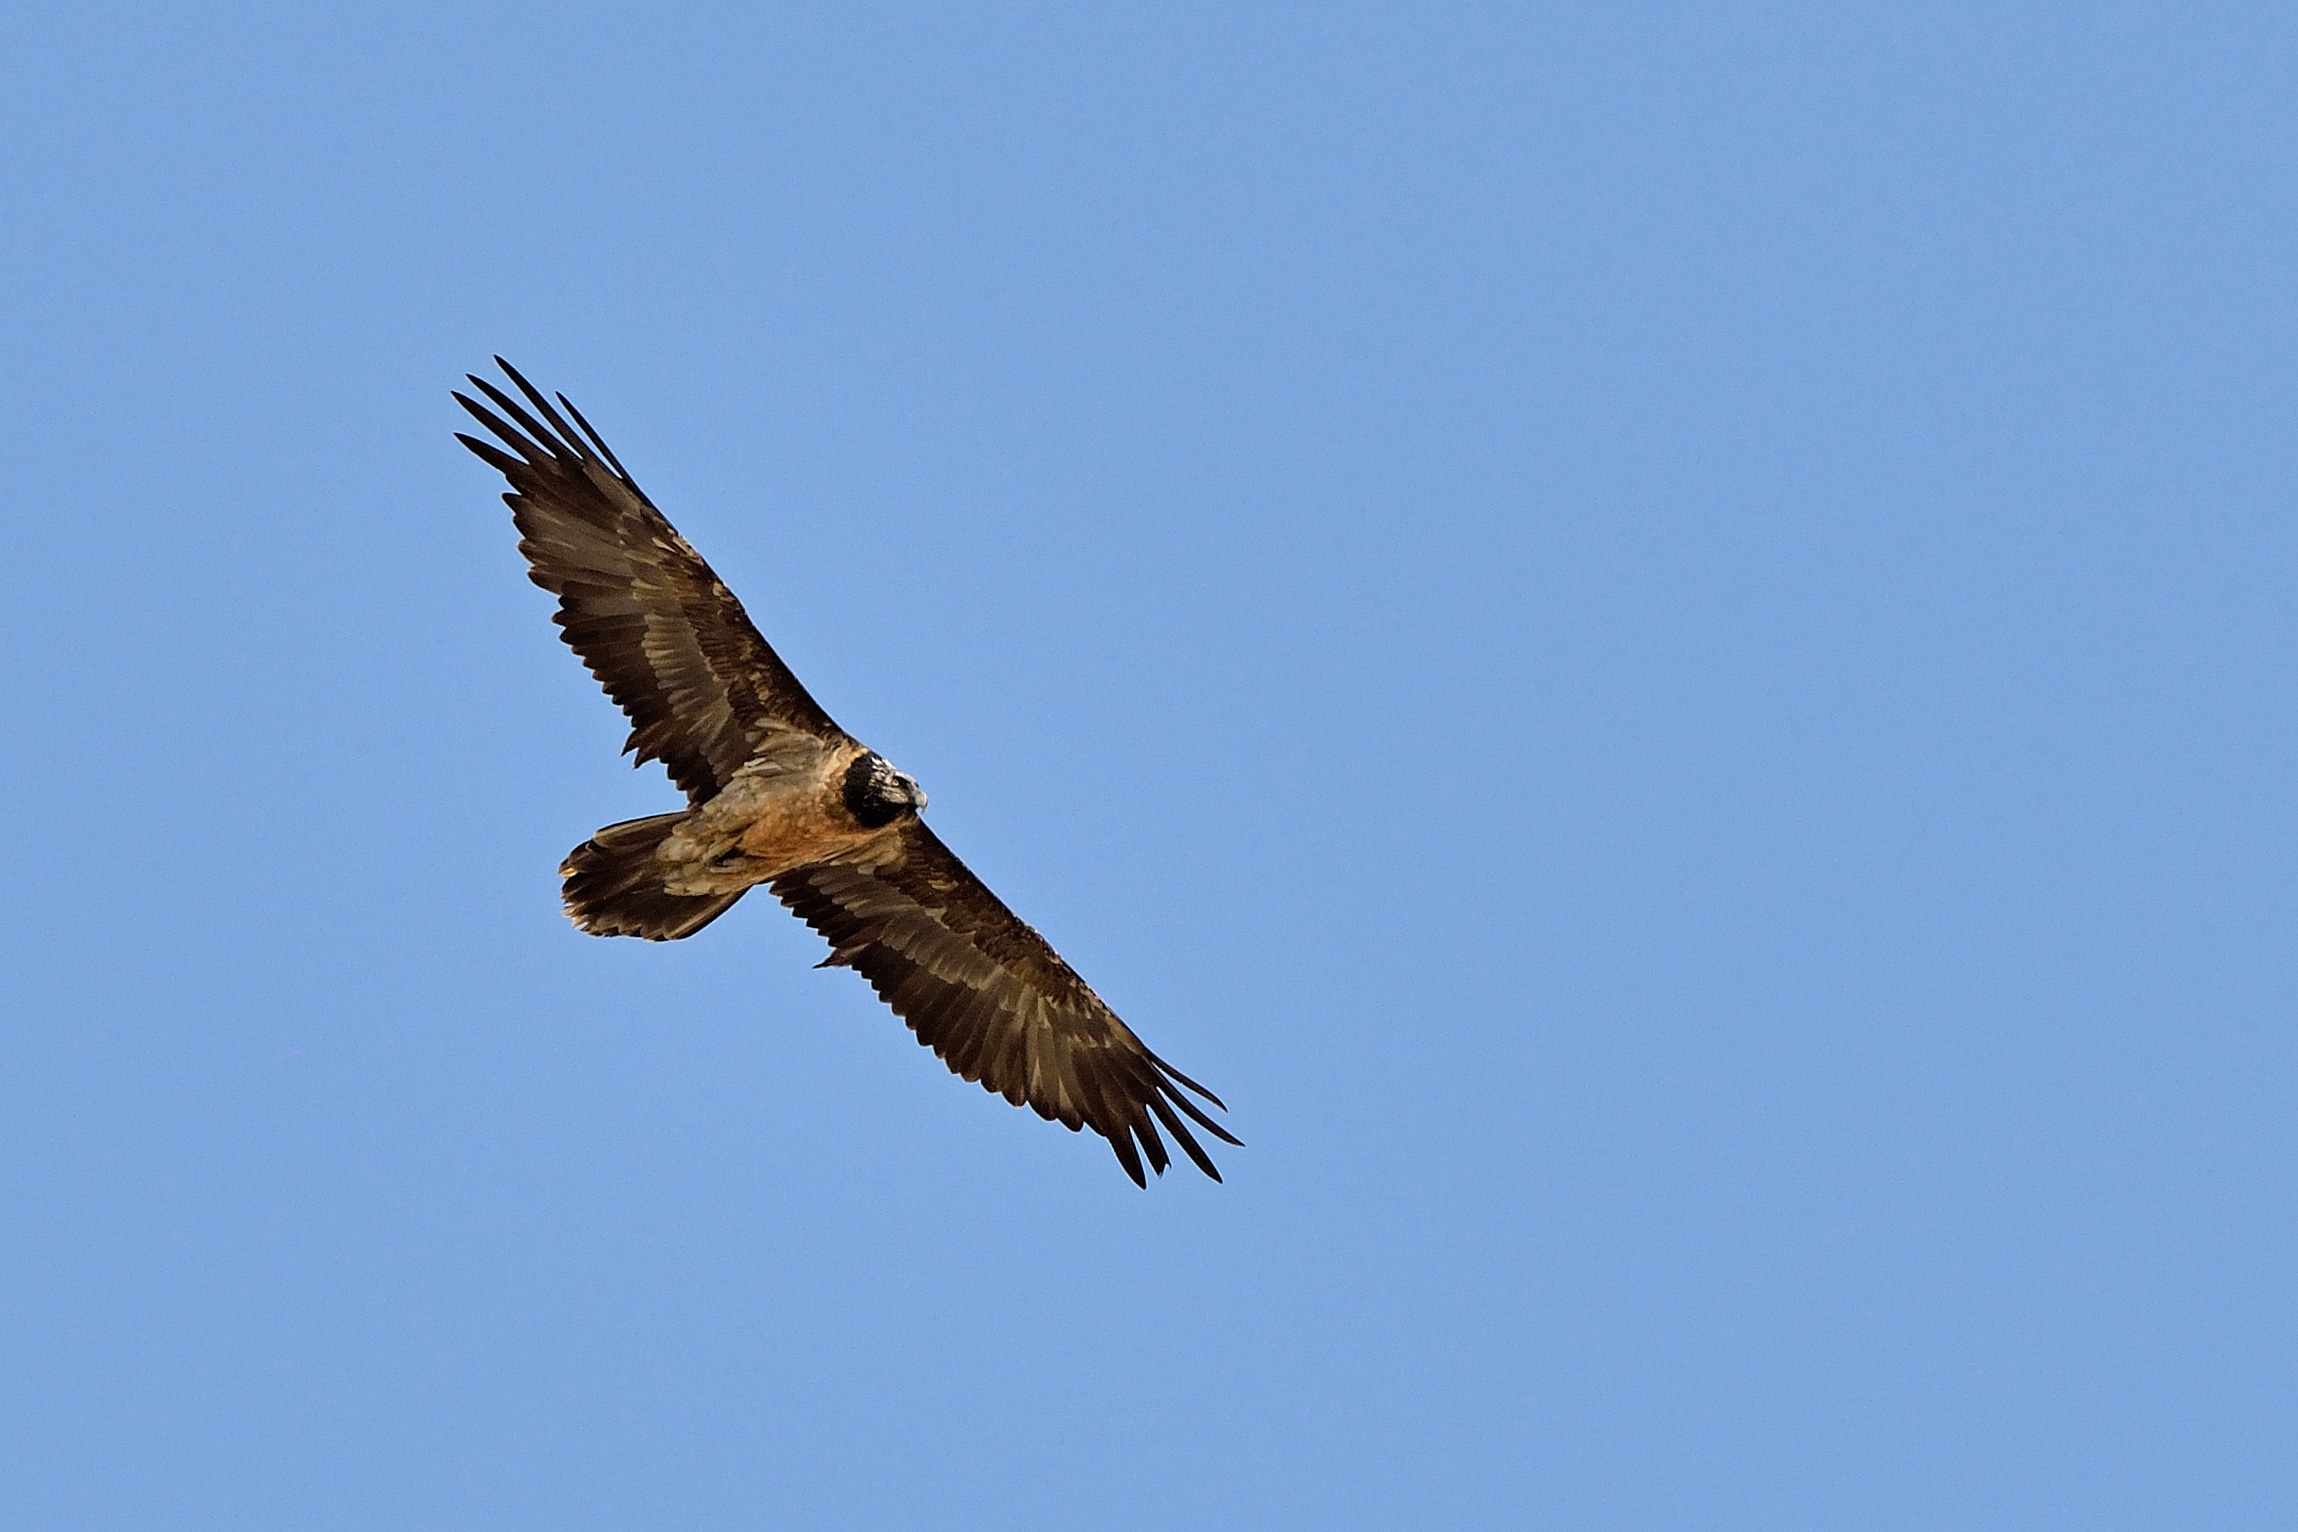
780 796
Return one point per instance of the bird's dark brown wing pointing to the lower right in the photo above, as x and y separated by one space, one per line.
992 998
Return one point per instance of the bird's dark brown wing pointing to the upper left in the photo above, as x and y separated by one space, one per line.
663 635
